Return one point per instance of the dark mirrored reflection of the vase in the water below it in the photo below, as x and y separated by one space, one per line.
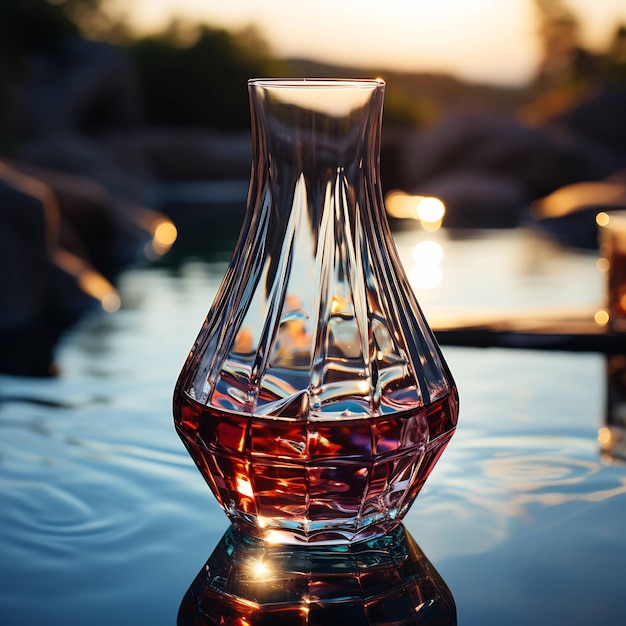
387 580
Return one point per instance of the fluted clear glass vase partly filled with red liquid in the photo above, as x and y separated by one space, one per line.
315 400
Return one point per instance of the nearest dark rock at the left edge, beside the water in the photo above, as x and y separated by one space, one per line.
39 300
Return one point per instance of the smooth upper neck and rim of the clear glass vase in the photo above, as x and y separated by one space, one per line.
315 131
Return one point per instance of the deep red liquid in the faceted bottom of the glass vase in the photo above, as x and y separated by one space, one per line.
297 480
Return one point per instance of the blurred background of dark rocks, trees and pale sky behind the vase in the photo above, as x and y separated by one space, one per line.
124 128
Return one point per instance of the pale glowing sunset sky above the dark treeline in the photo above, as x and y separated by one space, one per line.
490 41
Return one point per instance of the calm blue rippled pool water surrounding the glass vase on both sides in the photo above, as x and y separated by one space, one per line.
104 518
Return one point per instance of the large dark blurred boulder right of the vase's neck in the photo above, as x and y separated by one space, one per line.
521 163
